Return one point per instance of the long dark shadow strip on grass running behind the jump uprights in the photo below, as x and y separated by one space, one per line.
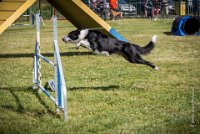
27 55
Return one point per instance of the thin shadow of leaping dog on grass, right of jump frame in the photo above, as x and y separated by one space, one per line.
103 88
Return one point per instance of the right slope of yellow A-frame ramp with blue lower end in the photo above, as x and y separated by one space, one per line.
82 16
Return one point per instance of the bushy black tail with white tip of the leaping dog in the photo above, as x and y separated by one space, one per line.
147 49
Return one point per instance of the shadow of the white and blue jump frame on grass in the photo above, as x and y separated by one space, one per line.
20 108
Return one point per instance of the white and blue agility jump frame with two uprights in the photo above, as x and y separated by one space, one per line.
60 98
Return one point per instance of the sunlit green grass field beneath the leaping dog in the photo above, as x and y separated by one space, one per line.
105 94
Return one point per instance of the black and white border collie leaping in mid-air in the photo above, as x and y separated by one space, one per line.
99 43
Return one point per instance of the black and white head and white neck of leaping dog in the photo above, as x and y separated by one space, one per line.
76 36
